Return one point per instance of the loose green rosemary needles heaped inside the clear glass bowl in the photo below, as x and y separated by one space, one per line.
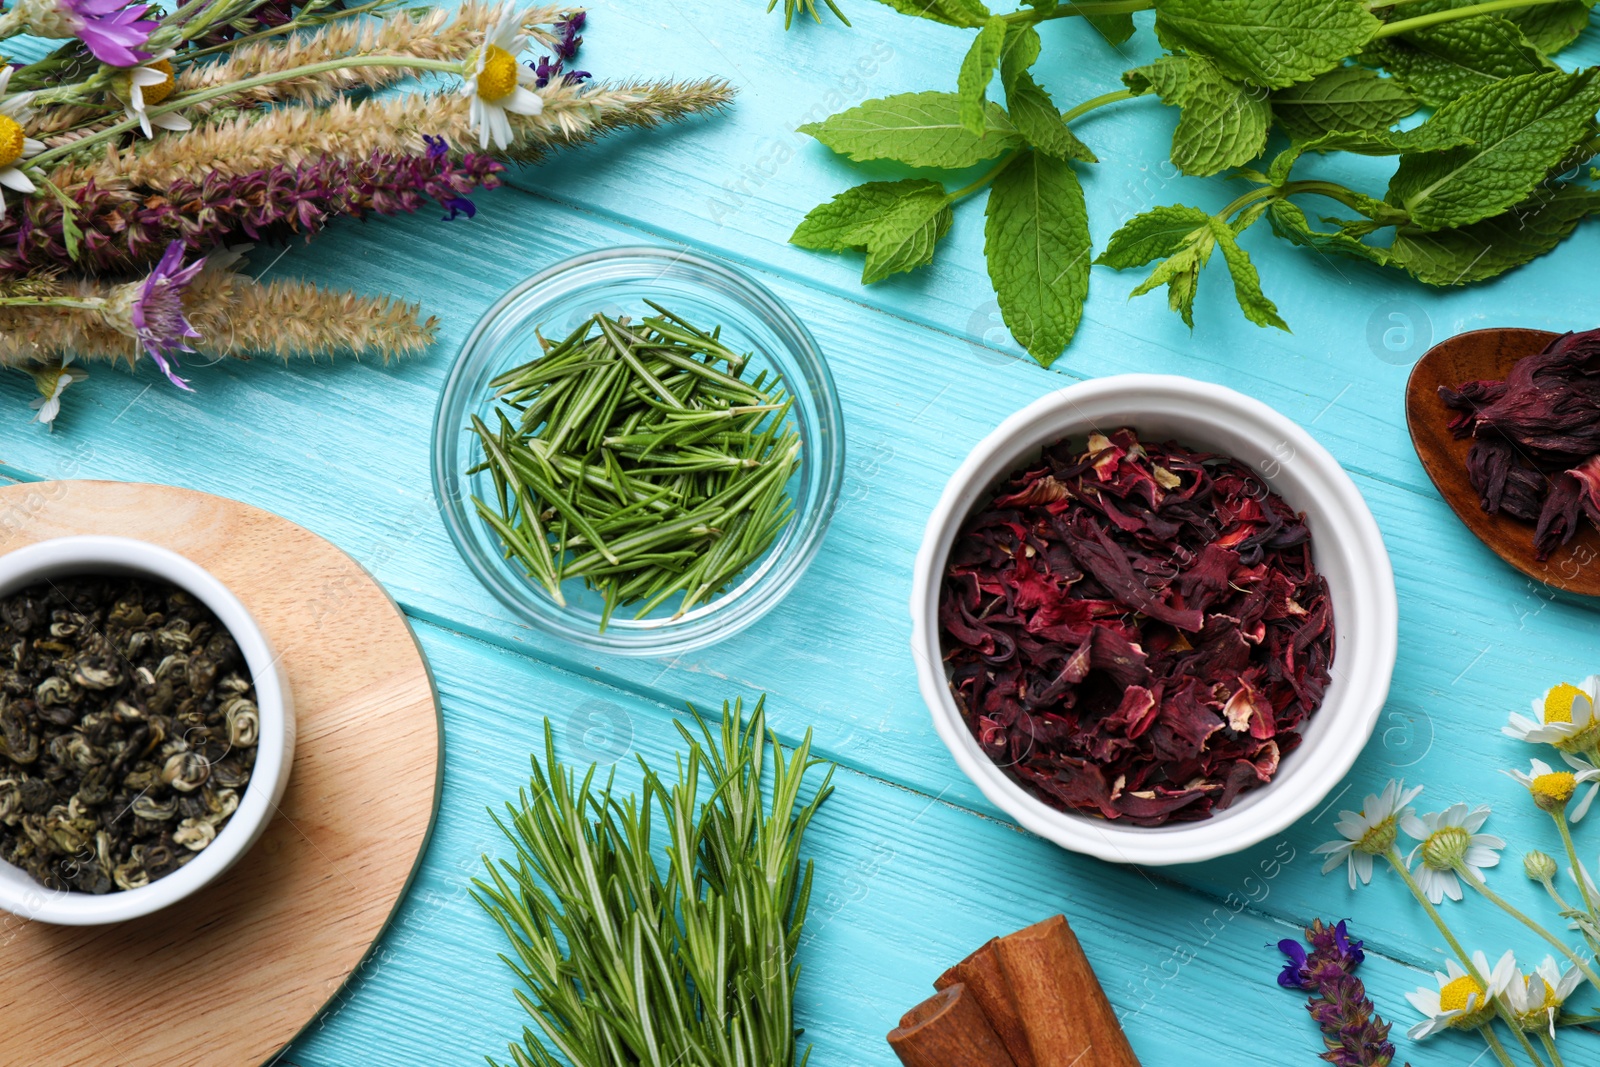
639 458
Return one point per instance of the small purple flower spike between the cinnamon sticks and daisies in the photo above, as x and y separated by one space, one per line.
1353 1031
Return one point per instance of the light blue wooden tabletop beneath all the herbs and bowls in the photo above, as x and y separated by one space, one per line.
914 866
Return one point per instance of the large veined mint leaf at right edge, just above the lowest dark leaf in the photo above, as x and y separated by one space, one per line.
1521 129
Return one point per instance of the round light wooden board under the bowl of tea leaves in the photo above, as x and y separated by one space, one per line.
230 977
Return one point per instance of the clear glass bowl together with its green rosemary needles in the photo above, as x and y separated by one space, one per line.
639 450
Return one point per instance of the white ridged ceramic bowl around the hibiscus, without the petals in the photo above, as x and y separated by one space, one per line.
1348 551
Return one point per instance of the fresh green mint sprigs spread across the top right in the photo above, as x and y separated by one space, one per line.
1482 186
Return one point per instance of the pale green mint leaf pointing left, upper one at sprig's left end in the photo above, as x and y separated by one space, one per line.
916 129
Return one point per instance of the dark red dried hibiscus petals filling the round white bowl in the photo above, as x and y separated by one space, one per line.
1138 633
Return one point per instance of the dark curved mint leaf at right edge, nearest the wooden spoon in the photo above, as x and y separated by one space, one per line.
1492 247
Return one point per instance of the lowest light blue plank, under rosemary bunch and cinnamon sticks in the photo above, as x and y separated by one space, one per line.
905 887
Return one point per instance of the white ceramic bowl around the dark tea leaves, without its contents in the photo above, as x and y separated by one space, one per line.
65 557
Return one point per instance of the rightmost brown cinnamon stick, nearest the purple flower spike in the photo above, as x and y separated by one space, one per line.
1063 1009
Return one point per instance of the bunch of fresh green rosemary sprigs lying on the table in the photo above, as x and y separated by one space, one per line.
634 959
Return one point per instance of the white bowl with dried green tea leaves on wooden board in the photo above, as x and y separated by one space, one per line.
146 730
